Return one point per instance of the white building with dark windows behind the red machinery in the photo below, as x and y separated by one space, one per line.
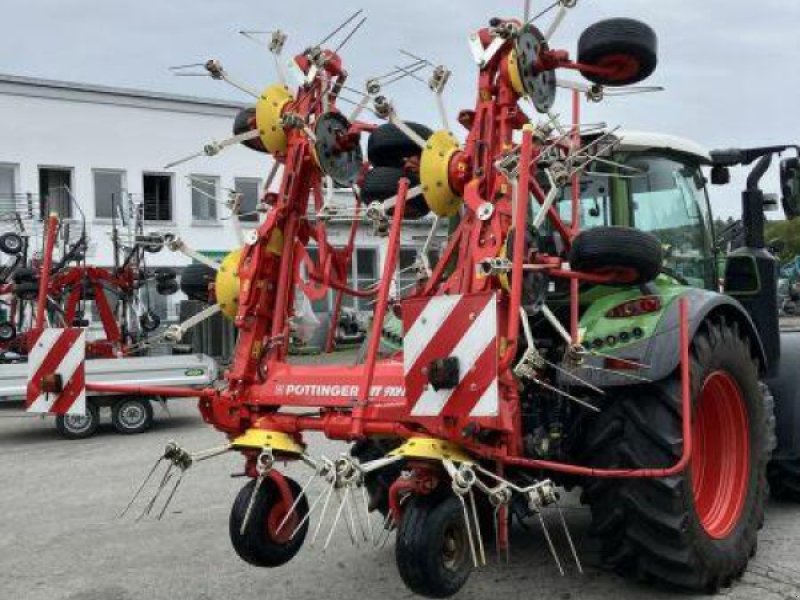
102 142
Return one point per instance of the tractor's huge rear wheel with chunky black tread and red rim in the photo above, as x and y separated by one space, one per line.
697 530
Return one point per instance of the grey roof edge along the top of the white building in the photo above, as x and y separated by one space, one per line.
101 94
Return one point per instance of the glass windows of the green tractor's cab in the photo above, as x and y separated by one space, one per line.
659 194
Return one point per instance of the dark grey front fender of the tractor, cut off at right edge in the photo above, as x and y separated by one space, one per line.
785 387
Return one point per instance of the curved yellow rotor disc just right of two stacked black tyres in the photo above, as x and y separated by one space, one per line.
434 174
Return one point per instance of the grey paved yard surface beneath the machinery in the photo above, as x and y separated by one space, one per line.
60 538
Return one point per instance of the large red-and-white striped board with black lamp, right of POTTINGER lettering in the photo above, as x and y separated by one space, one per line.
460 326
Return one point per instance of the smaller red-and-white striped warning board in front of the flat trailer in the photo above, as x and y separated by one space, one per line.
56 366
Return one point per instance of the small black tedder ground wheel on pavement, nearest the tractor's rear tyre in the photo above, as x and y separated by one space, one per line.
432 551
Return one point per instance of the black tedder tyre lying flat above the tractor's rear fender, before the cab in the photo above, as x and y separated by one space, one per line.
633 255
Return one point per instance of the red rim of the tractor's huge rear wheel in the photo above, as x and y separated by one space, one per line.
721 455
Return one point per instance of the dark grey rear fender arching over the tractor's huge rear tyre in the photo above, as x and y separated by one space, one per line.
656 357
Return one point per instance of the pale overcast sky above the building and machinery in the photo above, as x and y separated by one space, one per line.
730 66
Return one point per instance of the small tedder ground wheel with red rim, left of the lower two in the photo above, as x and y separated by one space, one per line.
262 544
